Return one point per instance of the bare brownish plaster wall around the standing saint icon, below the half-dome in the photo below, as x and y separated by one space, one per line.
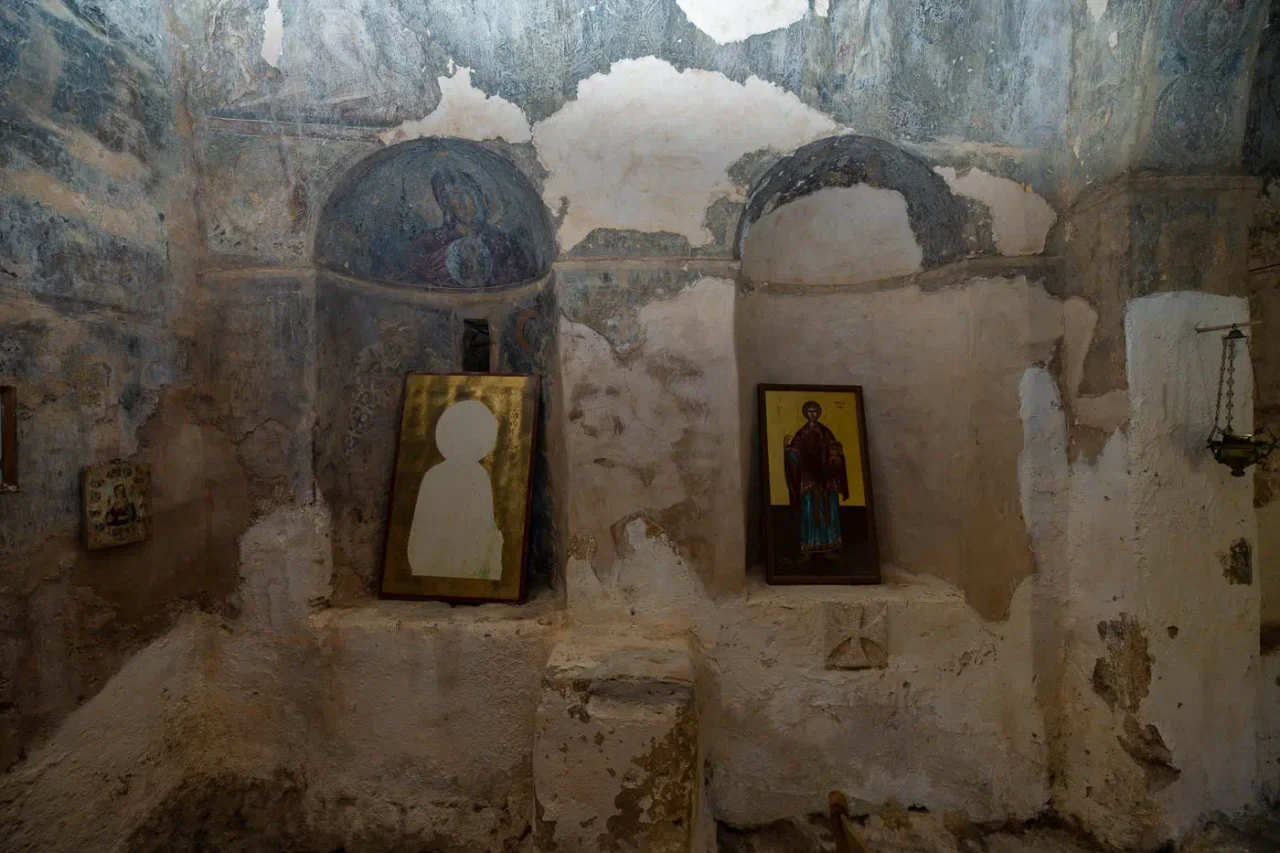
943 422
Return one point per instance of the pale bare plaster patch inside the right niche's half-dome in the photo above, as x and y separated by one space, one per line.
835 236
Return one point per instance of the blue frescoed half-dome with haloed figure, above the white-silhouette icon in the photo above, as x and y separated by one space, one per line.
437 215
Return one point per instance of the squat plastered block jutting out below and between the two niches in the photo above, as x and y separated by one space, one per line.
616 749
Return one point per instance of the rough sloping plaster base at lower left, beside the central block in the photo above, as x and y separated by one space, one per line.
290 726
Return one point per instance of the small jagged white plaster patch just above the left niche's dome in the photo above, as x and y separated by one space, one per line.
467 113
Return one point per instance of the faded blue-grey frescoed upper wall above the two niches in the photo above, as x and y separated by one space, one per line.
917 71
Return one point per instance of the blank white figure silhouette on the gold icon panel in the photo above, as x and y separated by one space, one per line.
454 532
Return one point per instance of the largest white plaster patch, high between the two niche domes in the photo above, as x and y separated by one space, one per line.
647 148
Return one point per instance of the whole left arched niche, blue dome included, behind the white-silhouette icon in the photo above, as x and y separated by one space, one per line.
400 250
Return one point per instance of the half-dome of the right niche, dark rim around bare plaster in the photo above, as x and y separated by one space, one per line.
849 209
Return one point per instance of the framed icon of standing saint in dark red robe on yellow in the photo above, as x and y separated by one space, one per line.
820 519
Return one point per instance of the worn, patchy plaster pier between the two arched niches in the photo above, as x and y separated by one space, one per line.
650 435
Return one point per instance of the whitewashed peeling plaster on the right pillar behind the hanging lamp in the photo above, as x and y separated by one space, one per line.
1142 606
